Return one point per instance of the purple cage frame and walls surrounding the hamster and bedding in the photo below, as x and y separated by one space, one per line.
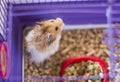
16 14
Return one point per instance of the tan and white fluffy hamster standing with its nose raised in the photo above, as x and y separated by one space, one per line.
43 40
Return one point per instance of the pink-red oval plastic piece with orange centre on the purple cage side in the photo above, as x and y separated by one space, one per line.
4 60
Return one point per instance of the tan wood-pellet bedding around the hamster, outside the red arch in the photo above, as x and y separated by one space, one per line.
73 43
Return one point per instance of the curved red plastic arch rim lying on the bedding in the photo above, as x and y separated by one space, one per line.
101 62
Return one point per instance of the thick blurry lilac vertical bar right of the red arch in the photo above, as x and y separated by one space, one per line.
110 40
